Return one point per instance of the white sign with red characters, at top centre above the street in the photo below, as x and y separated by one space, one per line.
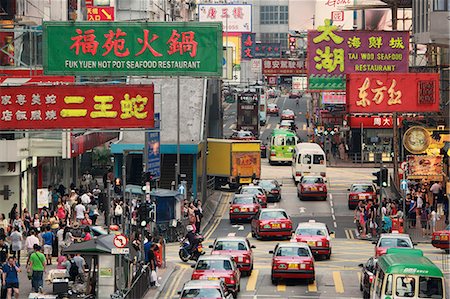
234 17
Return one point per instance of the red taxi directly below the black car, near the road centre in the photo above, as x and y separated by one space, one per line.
271 222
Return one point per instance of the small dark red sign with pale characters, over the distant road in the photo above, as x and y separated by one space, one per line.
283 66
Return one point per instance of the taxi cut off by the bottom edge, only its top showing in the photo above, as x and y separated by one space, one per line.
211 289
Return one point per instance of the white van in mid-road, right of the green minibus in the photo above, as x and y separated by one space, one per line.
308 159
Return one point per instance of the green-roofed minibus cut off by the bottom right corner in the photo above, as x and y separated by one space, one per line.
406 273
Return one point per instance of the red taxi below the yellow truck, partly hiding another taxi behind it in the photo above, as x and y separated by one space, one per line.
243 207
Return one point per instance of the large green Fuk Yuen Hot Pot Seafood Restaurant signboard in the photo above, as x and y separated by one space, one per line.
119 48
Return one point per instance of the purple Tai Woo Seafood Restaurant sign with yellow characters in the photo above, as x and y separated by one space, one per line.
335 53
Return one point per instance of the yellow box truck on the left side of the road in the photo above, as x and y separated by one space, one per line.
233 162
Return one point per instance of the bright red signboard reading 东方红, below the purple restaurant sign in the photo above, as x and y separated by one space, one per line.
392 92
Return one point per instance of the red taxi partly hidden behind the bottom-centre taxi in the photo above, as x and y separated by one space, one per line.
316 235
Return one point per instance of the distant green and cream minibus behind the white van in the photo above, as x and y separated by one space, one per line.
282 145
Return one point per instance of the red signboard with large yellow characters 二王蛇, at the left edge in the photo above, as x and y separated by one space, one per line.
69 107
